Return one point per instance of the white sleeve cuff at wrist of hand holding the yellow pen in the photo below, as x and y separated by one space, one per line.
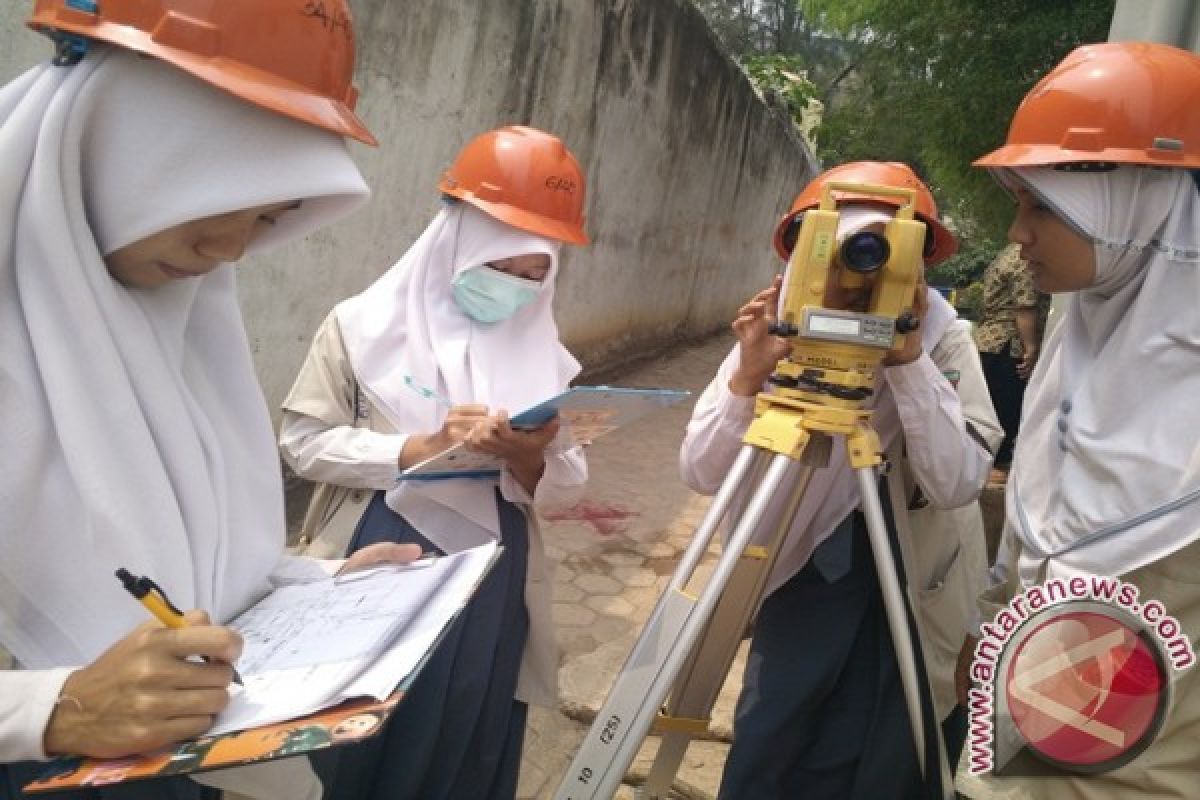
27 701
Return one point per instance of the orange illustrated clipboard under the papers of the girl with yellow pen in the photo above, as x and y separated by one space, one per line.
345 724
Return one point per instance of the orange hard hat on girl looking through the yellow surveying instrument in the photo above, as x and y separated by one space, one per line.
940 243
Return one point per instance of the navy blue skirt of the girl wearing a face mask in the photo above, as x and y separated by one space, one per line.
458 733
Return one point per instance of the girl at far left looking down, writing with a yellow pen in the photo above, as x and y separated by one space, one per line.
135 432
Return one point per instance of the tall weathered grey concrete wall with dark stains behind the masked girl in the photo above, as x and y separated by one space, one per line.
688 170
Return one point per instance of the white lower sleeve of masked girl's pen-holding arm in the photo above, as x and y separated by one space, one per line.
341 455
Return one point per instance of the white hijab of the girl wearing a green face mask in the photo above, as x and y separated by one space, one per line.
407 326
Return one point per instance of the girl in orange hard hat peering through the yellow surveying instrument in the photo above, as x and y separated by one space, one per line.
821 714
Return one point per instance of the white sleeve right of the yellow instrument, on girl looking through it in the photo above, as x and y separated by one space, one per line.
949 462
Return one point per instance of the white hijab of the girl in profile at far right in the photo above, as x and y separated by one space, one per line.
1107 471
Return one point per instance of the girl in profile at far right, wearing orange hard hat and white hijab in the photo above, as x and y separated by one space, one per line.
1102 159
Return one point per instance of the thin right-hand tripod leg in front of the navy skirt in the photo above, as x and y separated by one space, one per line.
896 605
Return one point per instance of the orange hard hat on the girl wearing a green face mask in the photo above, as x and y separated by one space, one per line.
525 178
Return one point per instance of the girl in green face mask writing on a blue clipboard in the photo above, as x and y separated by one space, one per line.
451 341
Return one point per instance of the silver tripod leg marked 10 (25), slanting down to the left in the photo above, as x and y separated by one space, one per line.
667 641
